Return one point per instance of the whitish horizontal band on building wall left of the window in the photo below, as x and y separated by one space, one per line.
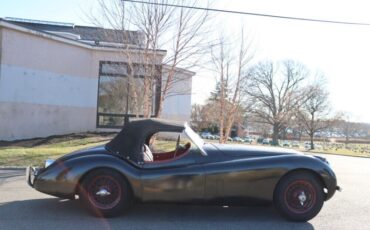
24 85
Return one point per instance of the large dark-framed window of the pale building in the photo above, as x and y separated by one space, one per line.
121 92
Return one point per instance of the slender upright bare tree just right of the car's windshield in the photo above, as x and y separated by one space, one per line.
230 68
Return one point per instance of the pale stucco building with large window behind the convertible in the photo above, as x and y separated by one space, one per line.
58 78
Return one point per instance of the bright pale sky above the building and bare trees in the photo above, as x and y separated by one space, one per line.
341 52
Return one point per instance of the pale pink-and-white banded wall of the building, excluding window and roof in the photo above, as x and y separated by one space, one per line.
49 87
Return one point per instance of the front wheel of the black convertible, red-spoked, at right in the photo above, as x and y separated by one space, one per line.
299 196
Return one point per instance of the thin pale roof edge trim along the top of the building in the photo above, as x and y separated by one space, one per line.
55 37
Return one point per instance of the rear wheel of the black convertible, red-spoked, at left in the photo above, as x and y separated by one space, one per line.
105 193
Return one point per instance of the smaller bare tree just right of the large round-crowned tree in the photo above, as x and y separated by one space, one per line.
313 114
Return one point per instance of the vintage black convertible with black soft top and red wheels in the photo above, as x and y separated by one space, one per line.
108 179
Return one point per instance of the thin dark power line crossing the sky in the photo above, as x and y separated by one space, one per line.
251 14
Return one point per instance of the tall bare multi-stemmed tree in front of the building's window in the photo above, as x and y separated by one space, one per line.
180 30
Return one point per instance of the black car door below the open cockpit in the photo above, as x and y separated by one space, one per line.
181 180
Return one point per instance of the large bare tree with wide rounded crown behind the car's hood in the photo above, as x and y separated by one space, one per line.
277 94
